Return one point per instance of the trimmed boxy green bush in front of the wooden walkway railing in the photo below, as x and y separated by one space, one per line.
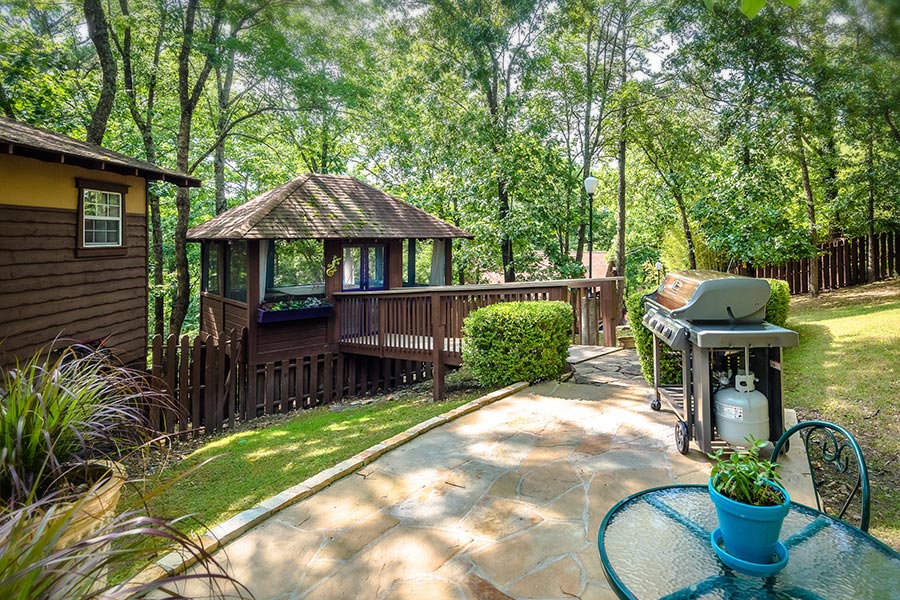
517 341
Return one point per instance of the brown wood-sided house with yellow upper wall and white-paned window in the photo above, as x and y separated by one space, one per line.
73 243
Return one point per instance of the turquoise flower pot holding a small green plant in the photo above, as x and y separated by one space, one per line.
750 532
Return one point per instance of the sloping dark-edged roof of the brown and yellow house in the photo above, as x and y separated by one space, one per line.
34 142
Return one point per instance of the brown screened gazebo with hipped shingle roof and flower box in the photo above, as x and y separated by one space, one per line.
300 244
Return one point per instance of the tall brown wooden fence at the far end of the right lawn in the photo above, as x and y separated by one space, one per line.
842 263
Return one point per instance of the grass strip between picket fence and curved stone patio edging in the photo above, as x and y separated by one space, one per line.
253 465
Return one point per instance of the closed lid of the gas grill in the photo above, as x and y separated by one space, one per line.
697 295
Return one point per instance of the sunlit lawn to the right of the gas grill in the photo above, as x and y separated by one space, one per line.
847 370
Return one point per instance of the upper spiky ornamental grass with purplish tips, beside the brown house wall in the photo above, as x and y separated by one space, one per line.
56 414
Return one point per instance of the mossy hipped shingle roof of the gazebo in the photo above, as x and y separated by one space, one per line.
315 206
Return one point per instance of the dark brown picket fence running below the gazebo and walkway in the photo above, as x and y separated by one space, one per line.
210 386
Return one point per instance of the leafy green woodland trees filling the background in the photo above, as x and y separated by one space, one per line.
742 140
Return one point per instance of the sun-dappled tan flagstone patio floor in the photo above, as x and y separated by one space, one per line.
504 502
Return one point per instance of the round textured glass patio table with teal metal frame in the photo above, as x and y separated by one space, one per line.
656 544
